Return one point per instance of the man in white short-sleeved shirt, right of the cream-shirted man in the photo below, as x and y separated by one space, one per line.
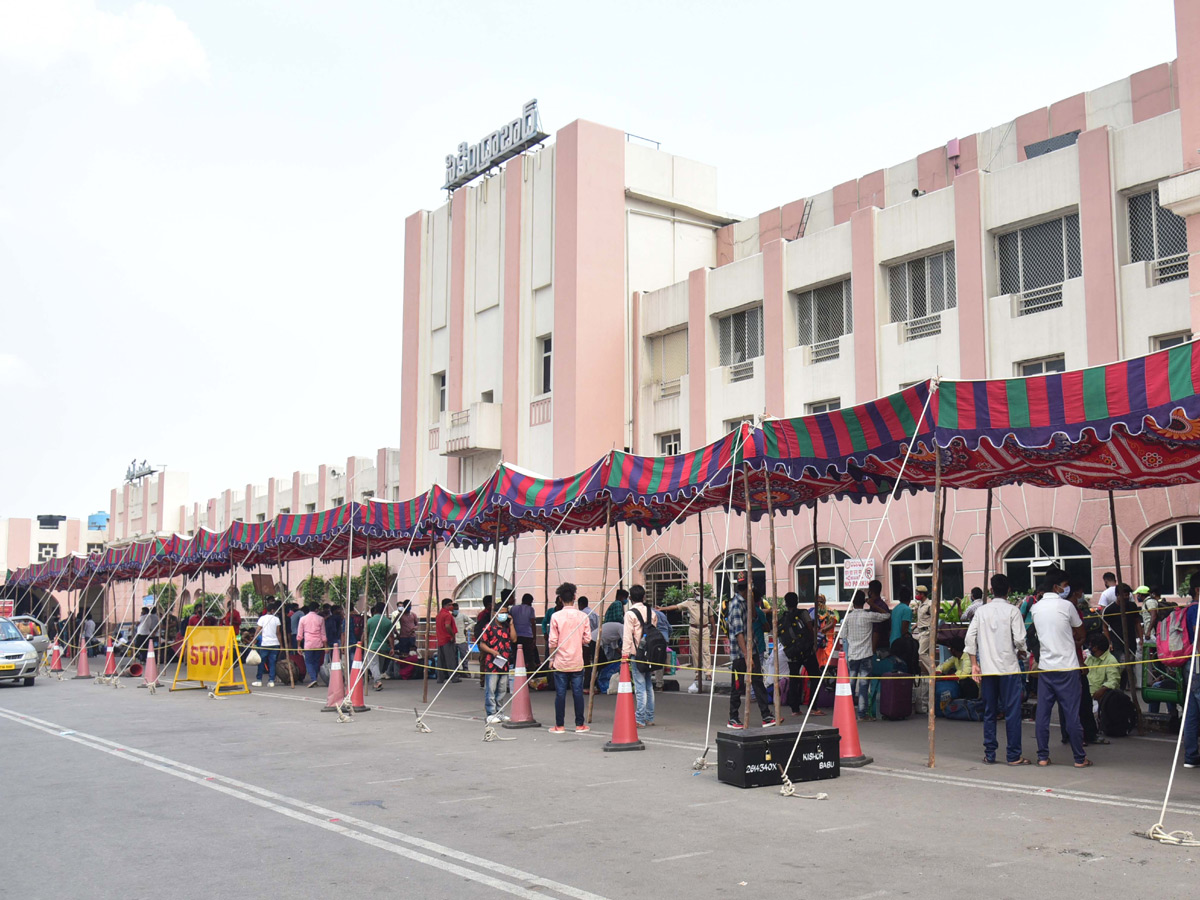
1060 629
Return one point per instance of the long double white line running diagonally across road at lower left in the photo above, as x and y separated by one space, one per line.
331 821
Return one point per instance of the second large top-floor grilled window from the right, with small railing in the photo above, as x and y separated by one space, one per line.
1037 260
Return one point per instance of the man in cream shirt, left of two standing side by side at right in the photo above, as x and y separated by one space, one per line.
997 645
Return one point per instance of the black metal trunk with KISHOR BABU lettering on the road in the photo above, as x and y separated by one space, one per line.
753 758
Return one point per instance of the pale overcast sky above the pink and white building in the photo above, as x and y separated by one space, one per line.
202 203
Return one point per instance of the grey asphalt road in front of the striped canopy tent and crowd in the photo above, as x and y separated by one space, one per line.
127 795
